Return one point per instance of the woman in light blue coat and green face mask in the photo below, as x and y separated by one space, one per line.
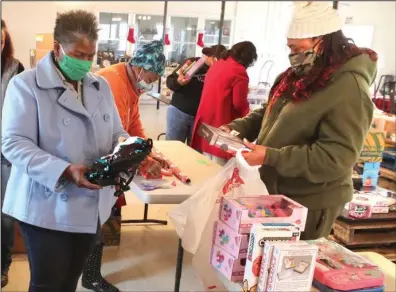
58 118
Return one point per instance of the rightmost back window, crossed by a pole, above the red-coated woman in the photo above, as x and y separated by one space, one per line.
212 30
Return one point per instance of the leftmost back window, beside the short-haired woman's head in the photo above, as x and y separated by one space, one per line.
113 34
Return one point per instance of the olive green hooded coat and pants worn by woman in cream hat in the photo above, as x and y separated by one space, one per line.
313 145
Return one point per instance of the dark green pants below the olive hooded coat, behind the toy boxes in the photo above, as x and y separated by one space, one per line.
320 222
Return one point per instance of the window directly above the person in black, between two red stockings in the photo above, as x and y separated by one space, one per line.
183 37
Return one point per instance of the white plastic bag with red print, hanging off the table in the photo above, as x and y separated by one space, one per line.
199 212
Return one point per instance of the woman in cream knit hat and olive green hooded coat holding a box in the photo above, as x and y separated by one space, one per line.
310 133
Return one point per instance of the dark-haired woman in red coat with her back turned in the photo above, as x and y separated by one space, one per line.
224 96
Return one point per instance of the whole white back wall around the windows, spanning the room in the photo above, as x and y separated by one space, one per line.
26 19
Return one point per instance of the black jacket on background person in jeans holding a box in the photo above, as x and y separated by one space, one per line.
186 98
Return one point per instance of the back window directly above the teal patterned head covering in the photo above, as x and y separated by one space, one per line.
149 28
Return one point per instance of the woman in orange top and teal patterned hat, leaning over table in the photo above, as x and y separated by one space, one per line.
127 82
